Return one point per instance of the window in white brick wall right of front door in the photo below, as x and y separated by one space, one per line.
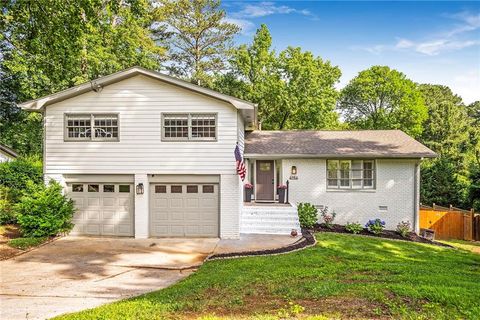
351 174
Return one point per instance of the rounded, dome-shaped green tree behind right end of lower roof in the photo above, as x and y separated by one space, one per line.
383 98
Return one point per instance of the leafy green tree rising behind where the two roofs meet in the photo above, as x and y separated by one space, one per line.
293 90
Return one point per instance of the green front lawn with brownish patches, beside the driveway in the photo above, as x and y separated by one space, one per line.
343 276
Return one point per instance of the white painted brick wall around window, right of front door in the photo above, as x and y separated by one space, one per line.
394 189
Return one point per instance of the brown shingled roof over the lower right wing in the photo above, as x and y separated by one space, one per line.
340 144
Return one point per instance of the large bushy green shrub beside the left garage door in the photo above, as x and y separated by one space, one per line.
44 211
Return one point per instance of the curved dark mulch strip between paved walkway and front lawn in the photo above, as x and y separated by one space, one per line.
307 240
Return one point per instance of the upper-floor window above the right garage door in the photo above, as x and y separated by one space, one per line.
189 126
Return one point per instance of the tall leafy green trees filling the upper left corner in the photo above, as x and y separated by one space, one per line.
50 45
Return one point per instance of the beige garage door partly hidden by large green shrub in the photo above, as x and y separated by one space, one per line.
103 209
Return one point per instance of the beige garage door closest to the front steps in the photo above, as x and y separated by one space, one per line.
184 210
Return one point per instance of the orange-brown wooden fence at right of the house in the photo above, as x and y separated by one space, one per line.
450 223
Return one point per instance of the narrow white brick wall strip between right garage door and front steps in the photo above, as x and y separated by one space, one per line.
230 202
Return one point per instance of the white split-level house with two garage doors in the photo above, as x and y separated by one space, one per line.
147 155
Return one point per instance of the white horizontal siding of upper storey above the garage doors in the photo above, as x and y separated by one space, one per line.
139 101
